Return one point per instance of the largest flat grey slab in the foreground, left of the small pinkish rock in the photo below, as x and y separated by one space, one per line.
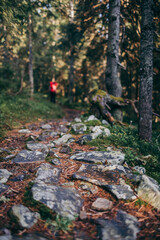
64 201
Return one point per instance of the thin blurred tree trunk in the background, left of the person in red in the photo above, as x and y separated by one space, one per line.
31 79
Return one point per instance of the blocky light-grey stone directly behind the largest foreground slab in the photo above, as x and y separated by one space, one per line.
46 173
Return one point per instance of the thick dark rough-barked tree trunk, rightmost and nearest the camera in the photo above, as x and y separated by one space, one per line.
146 71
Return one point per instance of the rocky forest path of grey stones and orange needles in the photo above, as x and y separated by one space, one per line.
78 184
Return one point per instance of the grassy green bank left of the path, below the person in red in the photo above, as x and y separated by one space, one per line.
17 110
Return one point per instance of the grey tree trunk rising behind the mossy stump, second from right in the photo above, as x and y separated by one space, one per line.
113 83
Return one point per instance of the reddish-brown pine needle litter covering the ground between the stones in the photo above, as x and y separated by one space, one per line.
148 217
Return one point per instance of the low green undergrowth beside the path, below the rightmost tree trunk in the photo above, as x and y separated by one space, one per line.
137 151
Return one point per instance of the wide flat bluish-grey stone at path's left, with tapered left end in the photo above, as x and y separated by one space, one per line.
26 156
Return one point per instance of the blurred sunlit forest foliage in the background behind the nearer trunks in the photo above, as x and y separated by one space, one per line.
70 41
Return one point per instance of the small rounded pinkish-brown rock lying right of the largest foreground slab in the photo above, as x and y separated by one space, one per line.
102 204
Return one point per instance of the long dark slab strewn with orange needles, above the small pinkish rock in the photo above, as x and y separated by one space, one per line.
104 177
